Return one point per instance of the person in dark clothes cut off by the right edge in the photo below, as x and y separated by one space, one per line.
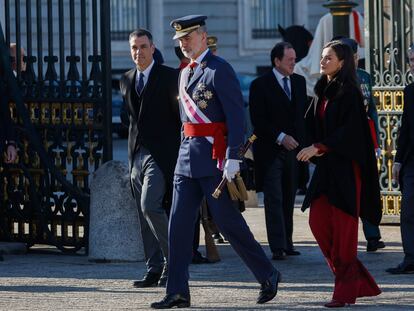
403 172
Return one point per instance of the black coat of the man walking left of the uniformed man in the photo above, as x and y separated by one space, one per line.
154 120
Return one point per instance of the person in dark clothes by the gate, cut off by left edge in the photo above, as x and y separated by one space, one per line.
8 150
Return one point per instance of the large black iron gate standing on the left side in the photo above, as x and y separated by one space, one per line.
61 103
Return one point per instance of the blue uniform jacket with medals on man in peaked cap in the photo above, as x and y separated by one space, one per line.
215 89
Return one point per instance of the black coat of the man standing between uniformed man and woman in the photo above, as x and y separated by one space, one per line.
272 112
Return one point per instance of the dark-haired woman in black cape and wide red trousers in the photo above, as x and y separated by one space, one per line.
345 179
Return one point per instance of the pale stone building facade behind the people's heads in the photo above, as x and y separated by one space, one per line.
246 29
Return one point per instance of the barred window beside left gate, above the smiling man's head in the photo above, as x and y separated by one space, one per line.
126 16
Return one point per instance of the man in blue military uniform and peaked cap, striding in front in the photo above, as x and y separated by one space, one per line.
211 108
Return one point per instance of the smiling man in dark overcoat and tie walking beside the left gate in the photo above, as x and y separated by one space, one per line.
150 94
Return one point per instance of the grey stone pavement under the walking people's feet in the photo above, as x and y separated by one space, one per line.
44 279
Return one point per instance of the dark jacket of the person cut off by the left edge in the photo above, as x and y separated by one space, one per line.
6 126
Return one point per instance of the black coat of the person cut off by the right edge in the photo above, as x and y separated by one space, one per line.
405 142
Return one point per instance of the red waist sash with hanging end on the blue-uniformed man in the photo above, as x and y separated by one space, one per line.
217 130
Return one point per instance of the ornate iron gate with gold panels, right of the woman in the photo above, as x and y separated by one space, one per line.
389 29
